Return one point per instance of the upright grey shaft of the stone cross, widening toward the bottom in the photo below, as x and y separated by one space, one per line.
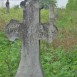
30 63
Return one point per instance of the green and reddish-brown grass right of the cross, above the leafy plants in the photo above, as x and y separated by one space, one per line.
67 29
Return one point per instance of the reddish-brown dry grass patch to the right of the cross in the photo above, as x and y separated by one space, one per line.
67 41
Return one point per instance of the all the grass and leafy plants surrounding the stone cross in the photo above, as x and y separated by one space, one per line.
58 59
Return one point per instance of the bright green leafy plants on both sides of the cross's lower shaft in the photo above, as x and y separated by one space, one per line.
55 62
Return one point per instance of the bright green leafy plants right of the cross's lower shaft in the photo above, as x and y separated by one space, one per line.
58 62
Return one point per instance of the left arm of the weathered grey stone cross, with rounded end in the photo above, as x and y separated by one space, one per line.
13 29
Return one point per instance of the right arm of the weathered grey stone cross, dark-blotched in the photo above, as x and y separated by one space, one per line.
47 32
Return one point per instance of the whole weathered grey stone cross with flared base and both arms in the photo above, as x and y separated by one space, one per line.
31 31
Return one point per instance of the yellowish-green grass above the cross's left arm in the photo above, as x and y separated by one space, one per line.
6 17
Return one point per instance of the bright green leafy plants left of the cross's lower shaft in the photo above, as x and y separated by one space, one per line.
9 56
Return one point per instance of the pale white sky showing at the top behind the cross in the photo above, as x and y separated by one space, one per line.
60 3
